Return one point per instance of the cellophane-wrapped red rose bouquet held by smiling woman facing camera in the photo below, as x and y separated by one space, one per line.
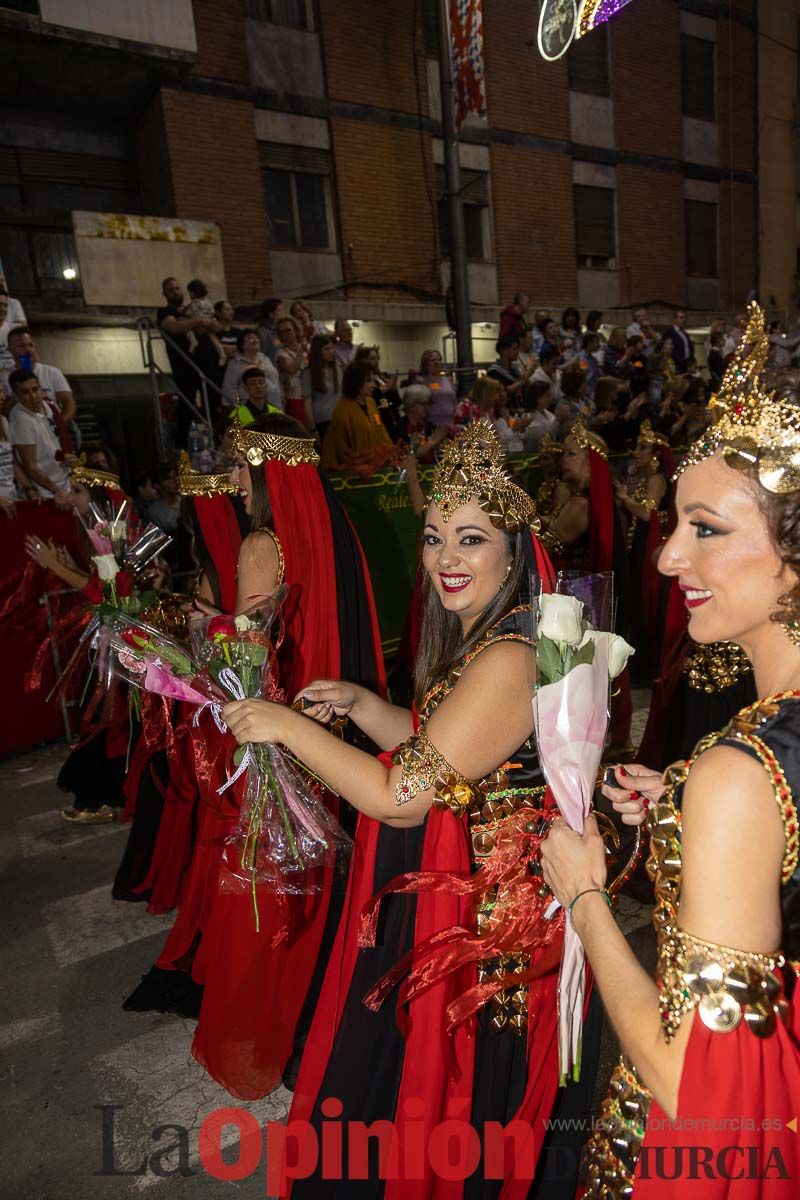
286 833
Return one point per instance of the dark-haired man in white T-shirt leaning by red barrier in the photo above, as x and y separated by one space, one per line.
37 440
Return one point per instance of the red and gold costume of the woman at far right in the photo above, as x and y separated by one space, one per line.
741 1085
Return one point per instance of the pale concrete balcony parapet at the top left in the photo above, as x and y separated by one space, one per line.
169 23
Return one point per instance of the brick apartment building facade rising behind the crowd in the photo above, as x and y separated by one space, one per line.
623 175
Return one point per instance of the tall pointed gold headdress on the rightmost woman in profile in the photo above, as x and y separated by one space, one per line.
754 427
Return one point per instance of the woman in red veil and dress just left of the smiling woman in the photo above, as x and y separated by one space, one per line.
303 544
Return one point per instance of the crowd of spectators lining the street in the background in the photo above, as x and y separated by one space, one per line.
549 370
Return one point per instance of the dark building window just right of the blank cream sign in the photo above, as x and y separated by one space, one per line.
298 196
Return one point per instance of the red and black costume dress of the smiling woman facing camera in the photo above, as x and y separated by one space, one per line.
442 985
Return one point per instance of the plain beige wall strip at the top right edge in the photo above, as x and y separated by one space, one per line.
778 71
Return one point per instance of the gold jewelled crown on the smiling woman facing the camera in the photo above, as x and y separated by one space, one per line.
472 467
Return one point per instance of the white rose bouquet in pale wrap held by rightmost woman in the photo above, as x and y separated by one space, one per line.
576 658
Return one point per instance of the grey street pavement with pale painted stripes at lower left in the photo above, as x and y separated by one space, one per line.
86 1084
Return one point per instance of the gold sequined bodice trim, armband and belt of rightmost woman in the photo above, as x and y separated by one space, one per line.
727 987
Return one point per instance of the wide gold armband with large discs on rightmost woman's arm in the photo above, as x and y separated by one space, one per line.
724 985
